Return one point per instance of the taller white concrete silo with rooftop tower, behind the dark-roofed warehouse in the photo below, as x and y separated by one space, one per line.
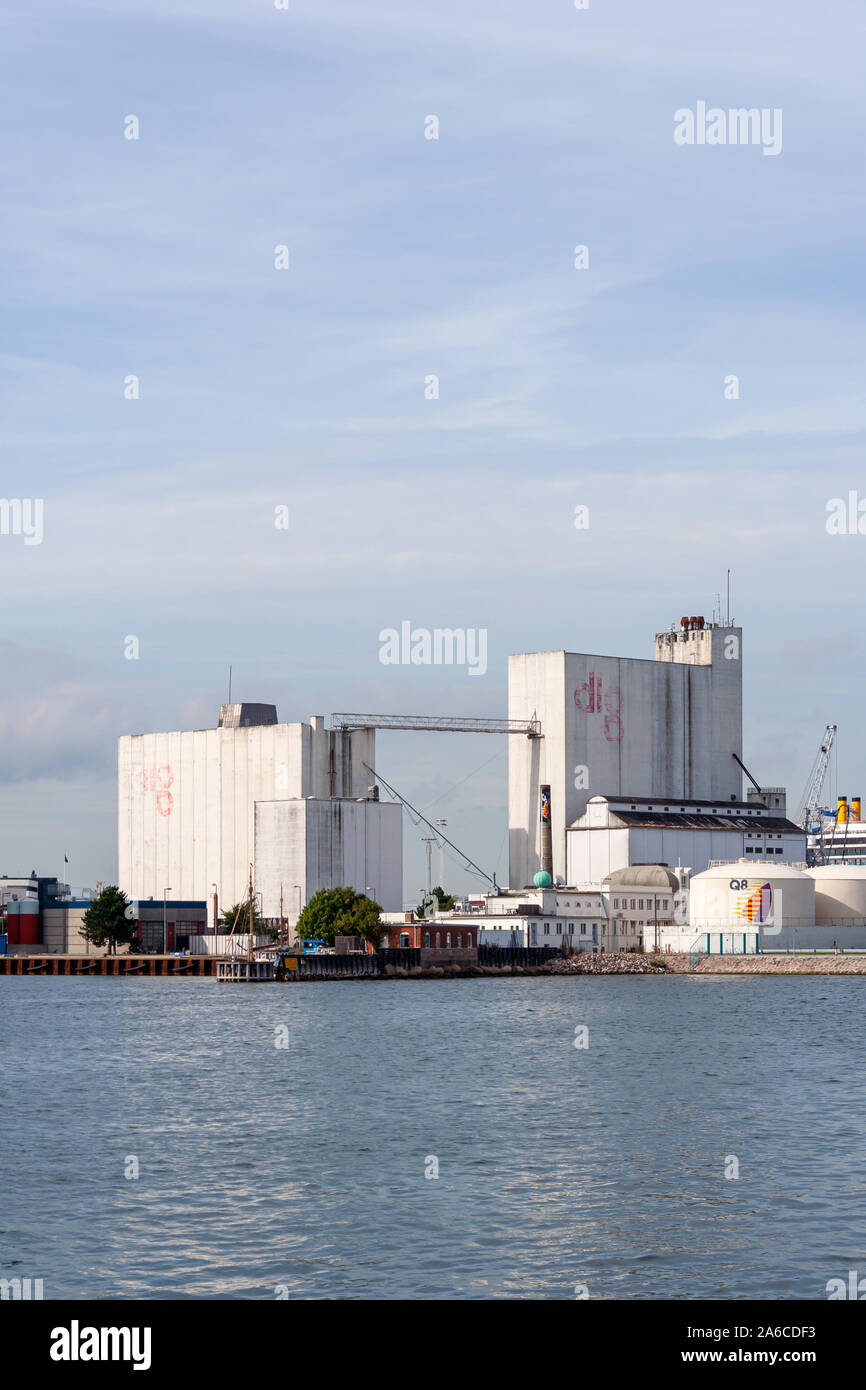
619 726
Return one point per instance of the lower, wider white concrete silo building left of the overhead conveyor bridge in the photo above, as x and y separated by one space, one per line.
197 810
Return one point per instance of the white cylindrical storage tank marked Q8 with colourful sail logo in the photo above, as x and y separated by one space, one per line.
747 896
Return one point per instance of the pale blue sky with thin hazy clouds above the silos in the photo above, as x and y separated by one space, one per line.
308 389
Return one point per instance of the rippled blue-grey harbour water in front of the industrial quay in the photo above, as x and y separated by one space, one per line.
523 1138
